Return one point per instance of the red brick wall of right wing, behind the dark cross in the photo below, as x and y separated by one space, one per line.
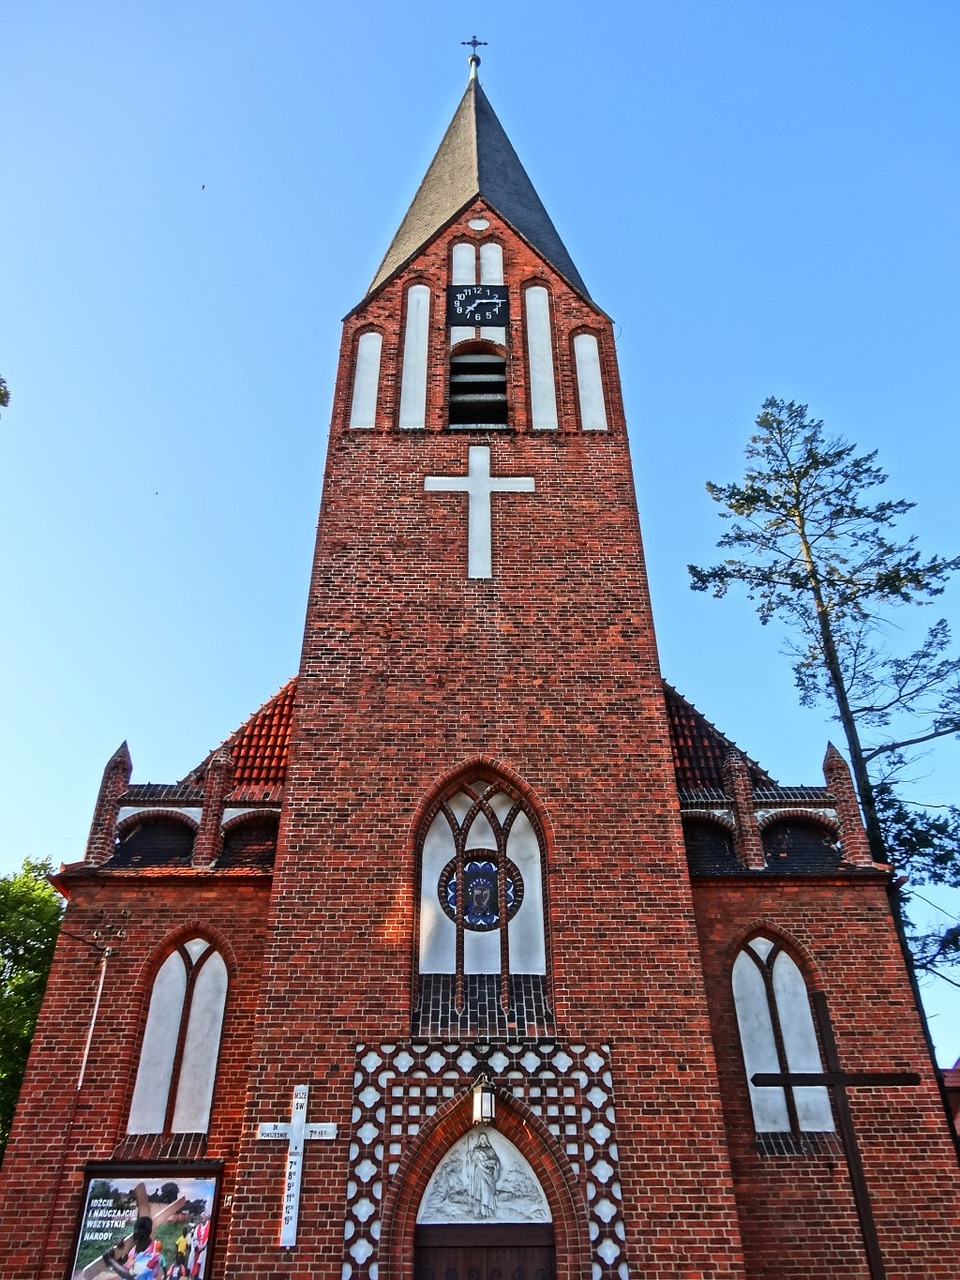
797 1213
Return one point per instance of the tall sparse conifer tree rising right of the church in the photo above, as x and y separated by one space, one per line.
815 546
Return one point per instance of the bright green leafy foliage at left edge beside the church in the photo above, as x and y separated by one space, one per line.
30 920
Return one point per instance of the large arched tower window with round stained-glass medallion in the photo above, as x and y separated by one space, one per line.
482 944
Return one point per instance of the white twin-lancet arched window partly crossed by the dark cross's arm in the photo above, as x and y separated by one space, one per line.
778 1035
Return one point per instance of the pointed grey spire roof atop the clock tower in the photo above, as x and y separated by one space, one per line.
476 159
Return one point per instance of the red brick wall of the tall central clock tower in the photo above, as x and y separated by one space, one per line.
550 670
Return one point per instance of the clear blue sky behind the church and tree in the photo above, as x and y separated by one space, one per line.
762 195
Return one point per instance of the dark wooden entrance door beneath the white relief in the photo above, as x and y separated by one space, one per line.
506 1251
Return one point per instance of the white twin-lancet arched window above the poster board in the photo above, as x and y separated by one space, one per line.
181 1043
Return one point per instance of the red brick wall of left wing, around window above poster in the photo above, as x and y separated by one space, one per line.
58 1131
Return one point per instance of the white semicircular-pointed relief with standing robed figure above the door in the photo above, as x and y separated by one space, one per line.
483 1178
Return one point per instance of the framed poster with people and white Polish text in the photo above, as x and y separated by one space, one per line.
147 1227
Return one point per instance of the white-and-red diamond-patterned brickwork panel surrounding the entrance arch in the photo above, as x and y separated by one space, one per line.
400 1087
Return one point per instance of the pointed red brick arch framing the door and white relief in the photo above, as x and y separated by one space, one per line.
533 1140
